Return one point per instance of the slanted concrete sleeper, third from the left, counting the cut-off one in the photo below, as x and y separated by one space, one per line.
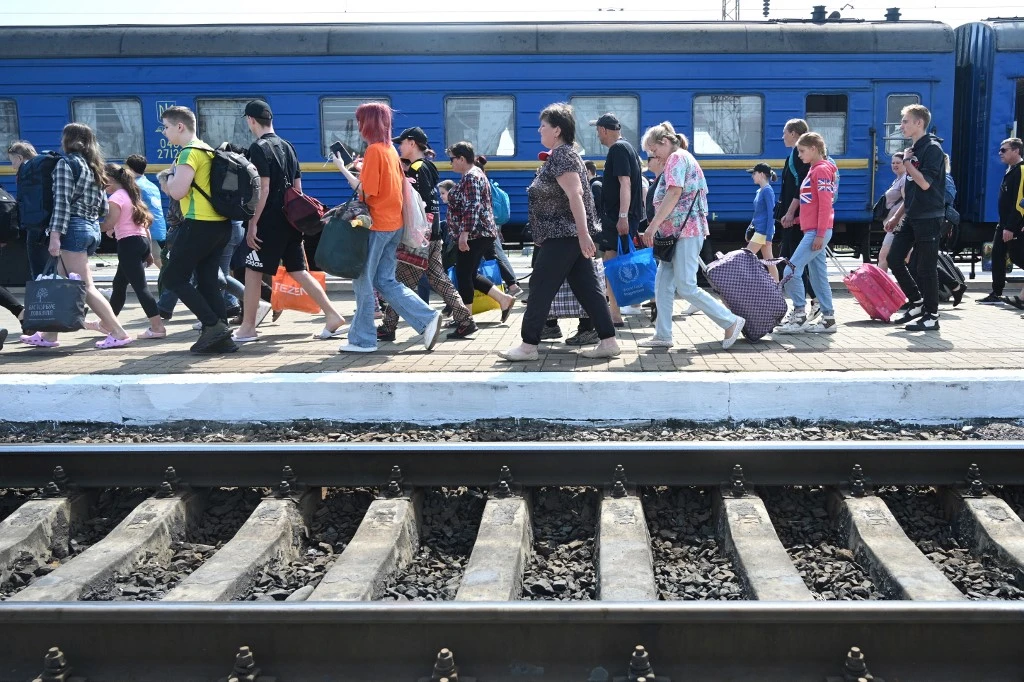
275 531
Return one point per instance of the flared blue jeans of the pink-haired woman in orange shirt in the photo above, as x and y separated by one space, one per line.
379 275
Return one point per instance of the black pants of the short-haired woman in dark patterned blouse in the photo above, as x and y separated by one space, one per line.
559 261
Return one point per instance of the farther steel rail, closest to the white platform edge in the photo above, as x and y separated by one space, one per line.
579 463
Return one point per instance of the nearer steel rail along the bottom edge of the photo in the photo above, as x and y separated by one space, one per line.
509 642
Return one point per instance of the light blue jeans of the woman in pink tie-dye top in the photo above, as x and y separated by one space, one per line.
680 277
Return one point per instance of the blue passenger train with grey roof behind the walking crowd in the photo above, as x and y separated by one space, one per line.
730 87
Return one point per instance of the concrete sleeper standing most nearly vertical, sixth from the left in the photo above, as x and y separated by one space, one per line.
625 562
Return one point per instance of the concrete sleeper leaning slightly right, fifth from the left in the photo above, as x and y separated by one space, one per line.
500 555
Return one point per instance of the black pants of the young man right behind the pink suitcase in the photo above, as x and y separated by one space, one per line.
922 235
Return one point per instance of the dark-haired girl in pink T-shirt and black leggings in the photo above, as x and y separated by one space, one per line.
129 221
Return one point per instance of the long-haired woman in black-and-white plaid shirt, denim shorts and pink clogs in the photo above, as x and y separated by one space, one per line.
74 230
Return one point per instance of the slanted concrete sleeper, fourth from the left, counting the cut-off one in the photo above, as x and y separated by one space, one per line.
386 542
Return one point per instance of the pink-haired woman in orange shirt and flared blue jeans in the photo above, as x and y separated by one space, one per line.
380 185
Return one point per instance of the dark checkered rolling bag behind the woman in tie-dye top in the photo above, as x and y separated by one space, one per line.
747 289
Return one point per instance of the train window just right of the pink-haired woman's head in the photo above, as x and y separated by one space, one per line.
487 122
